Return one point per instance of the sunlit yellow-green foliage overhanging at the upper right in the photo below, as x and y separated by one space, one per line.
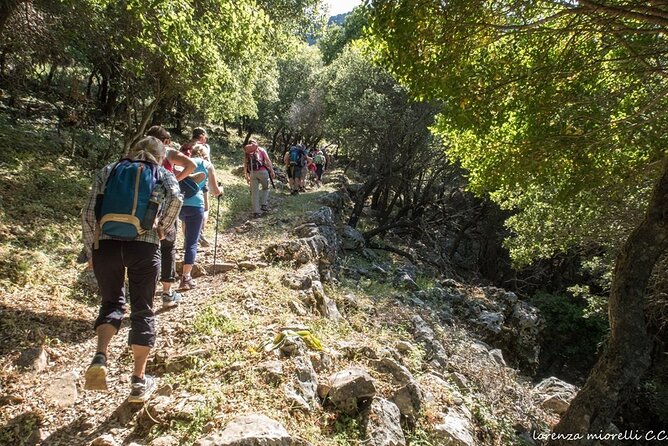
557 117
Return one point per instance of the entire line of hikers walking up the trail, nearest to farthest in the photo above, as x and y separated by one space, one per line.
130 225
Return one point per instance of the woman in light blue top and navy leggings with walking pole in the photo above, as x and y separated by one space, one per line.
192 214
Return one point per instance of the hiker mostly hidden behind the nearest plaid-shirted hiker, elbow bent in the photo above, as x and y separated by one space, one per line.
184 168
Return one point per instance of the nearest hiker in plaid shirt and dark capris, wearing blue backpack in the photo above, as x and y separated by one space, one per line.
112 251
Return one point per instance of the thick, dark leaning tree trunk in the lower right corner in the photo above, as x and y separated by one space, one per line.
627 353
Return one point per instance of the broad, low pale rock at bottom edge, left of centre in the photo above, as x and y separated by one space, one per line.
250 430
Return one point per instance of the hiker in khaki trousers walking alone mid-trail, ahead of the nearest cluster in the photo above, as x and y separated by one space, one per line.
257 170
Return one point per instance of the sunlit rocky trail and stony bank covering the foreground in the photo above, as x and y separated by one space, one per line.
302 336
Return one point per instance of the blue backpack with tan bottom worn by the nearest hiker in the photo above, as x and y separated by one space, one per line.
128 205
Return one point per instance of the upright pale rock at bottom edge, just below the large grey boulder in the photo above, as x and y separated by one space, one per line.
381 423
